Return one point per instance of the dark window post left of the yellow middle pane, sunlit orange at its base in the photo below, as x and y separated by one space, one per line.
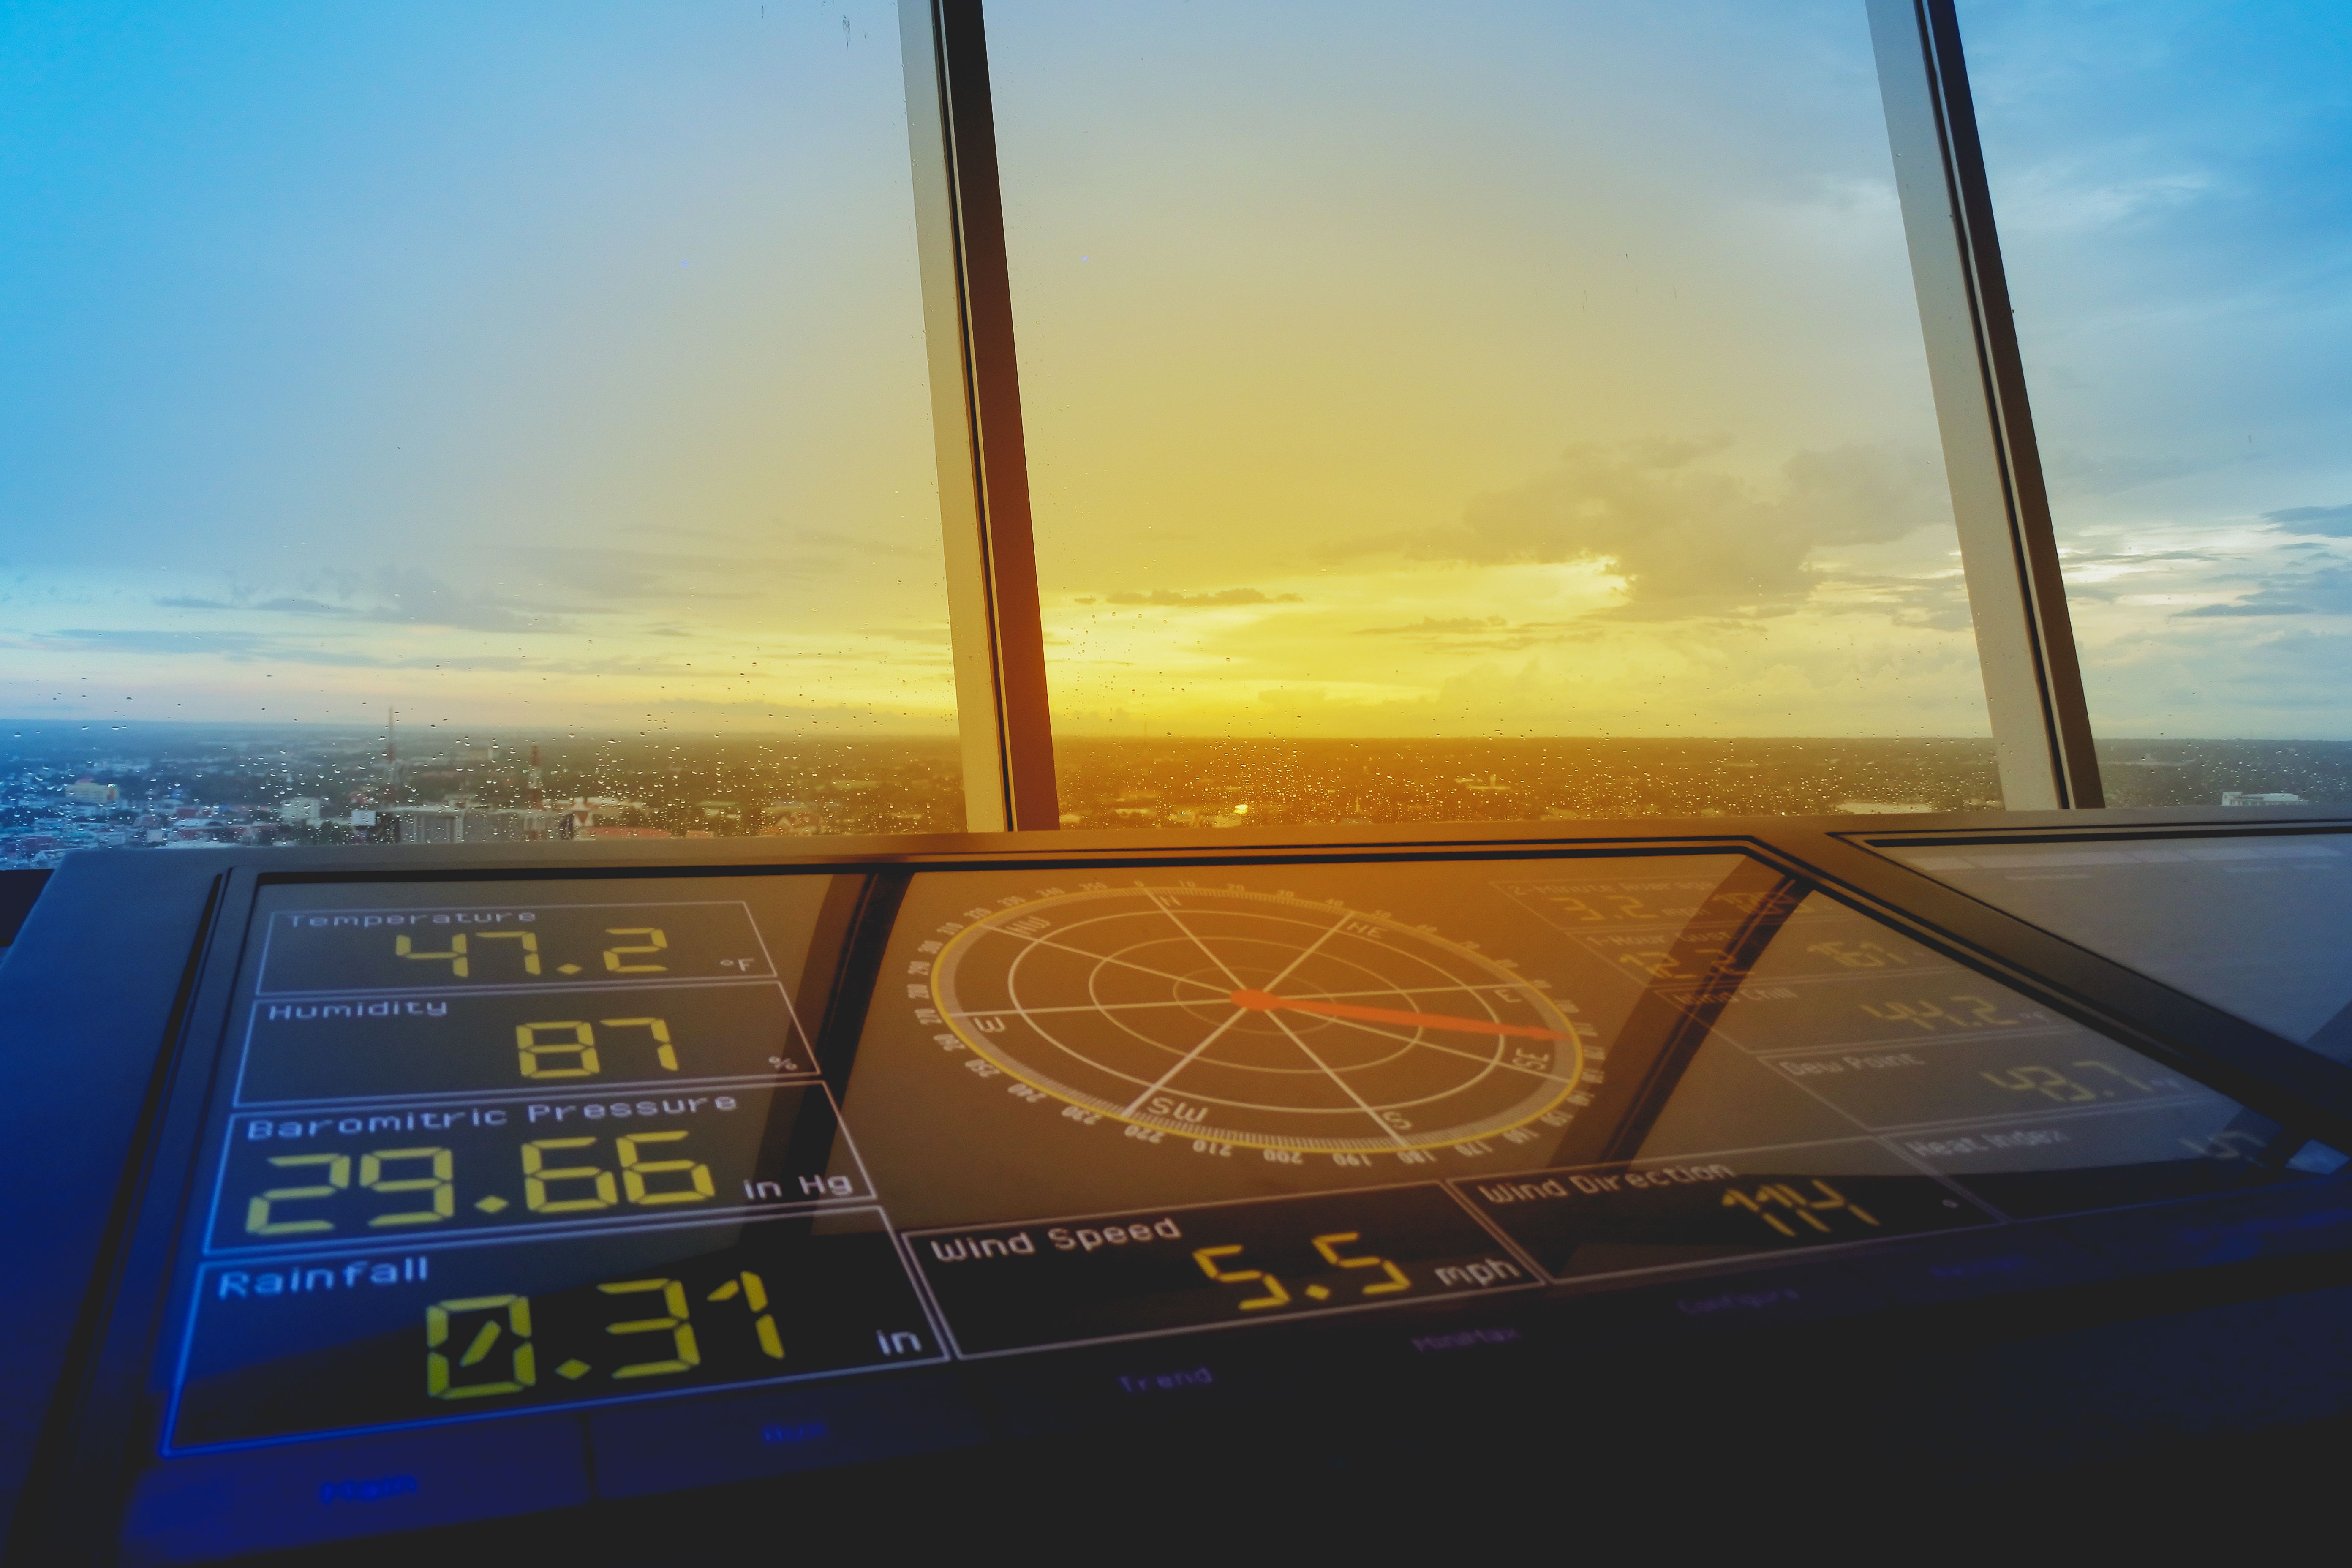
984 504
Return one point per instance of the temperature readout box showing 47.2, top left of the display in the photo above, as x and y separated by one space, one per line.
507 946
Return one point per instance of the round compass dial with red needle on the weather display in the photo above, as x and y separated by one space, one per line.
1259 1019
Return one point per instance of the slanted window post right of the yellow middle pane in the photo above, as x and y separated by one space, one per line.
2007 549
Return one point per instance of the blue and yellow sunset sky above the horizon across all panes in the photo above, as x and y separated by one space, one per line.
1495 370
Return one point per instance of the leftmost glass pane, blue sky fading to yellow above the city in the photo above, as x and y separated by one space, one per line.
549 375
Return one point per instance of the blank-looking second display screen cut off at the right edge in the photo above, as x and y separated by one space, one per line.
2257 925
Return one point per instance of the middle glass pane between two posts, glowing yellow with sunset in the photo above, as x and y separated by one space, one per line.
1530 394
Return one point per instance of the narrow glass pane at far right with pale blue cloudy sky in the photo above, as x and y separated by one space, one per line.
2179 239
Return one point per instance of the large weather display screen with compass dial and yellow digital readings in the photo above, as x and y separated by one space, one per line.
573 1151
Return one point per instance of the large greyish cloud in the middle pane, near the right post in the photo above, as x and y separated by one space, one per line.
1688 537
